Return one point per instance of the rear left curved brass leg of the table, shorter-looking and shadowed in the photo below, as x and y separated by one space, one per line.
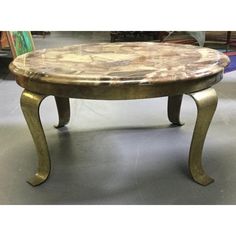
63 108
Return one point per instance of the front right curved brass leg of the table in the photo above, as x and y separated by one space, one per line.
206 102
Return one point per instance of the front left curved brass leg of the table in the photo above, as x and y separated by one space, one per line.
30 103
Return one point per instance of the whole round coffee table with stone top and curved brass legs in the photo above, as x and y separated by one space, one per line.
113 71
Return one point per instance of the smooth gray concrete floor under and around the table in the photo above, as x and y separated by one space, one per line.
116 152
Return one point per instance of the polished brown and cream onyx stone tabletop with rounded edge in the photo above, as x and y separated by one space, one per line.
120 63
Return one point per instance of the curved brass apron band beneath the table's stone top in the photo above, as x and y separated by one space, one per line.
118 92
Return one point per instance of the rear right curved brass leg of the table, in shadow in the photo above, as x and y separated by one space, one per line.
174 105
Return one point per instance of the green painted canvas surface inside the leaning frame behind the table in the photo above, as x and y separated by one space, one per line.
22 41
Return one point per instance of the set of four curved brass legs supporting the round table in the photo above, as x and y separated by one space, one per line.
206 101
